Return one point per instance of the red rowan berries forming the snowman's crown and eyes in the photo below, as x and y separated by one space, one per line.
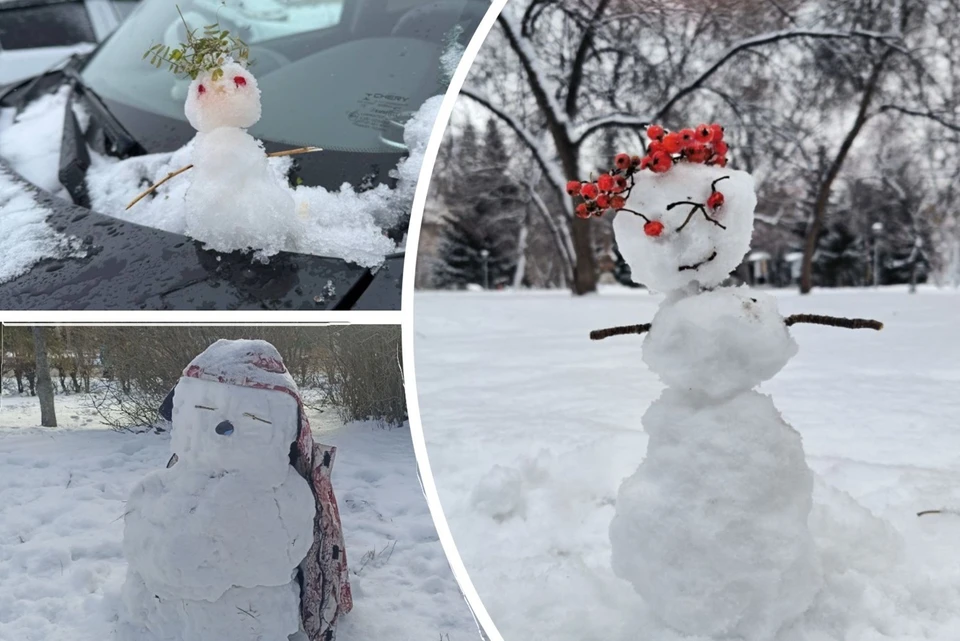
611 190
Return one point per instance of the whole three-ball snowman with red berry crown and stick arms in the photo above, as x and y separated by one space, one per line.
712 528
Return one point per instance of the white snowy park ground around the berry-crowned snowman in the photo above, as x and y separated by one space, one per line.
531 427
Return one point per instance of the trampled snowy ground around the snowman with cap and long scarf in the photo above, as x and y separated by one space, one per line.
62 494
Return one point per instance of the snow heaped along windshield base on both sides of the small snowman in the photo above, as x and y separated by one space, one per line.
344 224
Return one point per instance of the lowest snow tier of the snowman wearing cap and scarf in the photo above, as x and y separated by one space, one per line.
240 613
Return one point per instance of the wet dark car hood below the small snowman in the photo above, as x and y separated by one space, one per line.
128 266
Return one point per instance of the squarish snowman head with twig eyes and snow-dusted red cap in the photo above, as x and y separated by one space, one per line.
236 409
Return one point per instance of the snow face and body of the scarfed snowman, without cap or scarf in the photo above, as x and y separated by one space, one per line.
213 542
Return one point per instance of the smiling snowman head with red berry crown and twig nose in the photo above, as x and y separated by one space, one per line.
682 217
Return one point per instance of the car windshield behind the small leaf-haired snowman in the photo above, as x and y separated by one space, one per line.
340 74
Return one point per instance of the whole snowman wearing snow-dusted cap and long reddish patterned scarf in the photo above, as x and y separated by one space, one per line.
239 537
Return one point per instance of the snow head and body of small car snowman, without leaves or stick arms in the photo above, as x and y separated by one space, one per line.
233 192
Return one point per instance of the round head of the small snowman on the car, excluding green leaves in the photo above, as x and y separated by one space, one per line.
230 100
